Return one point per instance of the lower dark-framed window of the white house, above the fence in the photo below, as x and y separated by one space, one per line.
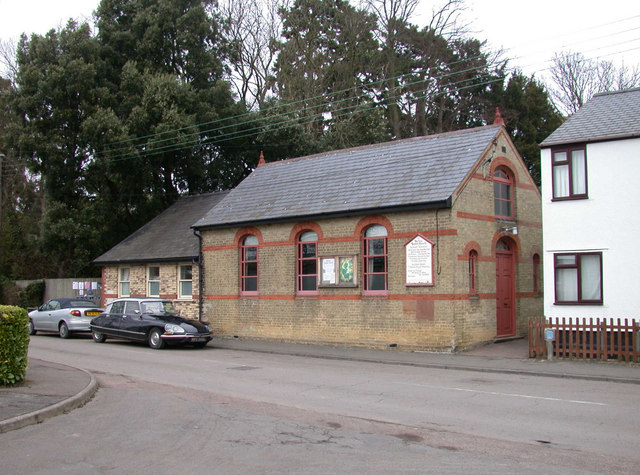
578 278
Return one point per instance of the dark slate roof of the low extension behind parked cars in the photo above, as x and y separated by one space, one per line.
167 237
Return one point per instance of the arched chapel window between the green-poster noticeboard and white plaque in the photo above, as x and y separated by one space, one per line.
375 259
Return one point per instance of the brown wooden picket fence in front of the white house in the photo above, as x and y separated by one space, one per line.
596 339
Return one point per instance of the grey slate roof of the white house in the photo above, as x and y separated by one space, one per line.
606 116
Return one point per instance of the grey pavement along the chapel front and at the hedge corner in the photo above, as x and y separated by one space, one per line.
51 389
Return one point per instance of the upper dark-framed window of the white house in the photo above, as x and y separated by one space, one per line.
569 173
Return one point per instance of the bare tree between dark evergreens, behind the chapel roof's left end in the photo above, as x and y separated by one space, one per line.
252 28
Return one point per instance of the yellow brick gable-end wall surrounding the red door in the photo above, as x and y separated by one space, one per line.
473 213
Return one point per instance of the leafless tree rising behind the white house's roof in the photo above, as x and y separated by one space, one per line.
575 79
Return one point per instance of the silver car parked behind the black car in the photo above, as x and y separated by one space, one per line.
64 316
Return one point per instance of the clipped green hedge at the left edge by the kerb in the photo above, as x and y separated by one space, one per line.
14 344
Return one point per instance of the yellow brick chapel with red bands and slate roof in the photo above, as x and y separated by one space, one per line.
430 243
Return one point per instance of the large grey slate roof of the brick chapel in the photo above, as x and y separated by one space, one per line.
416 172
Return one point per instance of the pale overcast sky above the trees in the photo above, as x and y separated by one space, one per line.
530 32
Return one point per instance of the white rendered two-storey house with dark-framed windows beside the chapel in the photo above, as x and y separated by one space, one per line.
590 201
